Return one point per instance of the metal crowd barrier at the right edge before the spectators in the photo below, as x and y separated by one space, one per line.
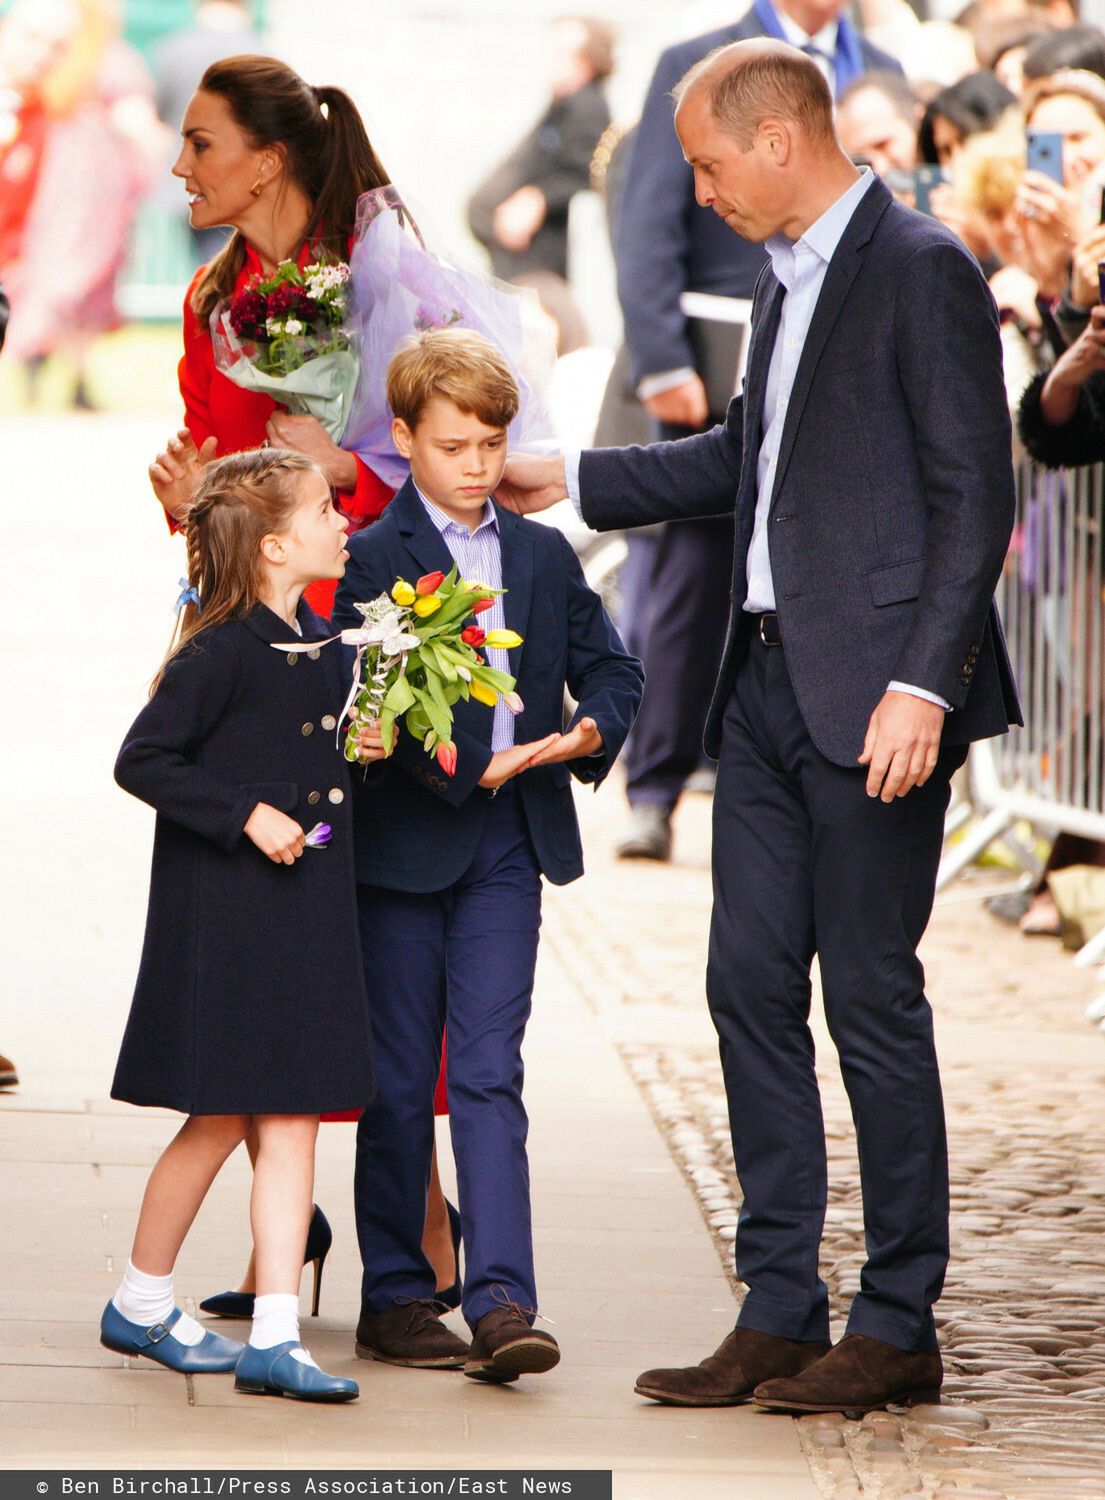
1050 773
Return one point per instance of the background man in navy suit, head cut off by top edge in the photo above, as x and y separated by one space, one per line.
666 247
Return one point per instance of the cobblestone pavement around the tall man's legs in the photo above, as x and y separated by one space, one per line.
1023 1318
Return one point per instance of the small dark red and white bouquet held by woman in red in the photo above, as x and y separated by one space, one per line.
287 335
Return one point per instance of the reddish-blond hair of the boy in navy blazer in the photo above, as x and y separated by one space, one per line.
455 364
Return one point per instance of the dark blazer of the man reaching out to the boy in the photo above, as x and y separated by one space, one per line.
894 491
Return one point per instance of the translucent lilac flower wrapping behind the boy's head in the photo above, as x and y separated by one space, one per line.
401 287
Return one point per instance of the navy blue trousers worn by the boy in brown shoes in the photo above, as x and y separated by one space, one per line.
463 958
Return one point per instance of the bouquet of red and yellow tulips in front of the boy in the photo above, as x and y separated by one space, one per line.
416 659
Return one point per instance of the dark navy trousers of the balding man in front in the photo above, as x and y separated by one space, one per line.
807 863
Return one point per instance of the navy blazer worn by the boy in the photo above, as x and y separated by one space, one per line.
418 829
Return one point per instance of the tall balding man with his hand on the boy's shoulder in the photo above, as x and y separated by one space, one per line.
869 464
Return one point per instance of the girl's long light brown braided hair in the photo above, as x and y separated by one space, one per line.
241 500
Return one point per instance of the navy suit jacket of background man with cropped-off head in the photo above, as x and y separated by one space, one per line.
666 244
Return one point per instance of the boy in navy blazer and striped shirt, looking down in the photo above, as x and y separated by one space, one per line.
449 868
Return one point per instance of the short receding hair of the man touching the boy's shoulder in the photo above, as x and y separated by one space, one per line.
774 82
